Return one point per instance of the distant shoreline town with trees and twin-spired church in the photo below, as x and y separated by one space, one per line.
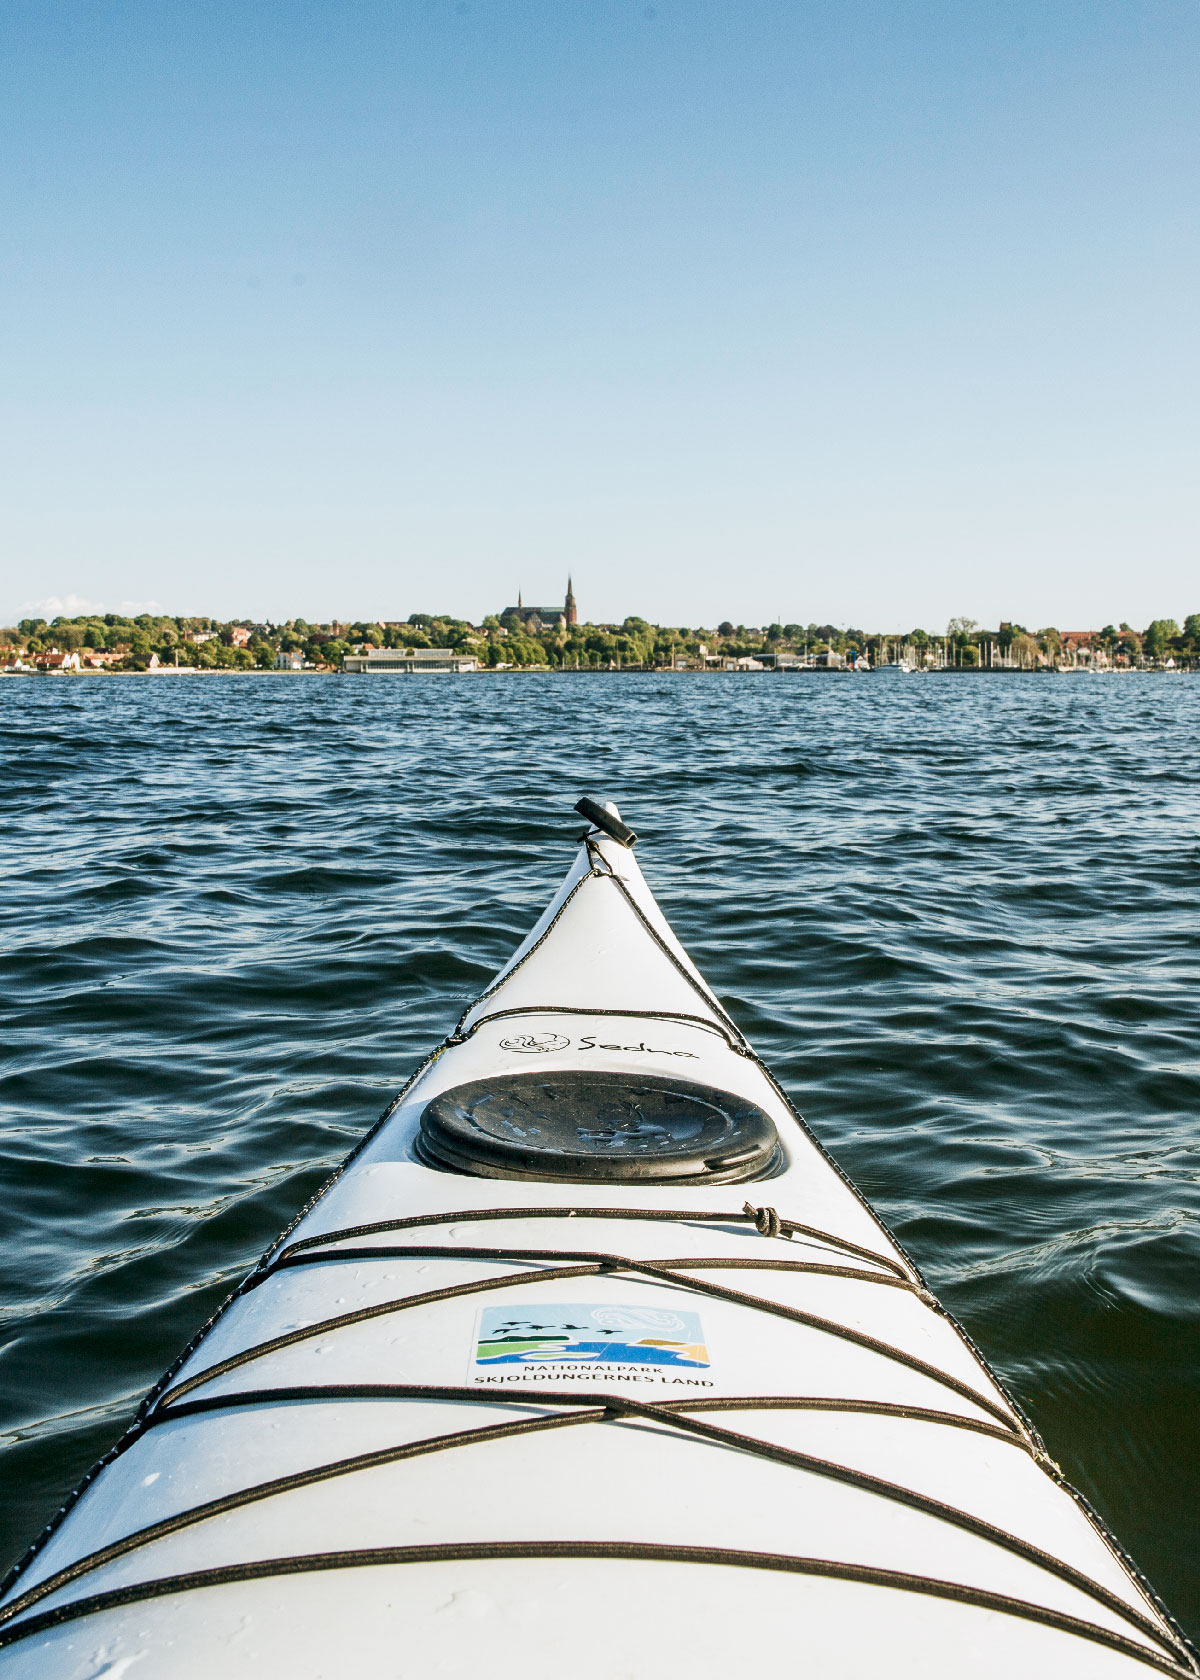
555 639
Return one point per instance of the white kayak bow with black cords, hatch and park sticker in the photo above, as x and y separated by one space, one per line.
589 1362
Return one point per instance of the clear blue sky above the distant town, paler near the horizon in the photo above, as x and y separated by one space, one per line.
868 313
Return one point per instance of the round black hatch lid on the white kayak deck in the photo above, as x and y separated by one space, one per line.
577 1126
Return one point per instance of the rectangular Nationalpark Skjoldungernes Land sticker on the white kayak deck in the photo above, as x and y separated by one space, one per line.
591 1343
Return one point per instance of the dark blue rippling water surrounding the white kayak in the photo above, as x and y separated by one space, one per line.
957 915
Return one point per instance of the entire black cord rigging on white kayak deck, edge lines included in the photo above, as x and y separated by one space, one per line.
176 1399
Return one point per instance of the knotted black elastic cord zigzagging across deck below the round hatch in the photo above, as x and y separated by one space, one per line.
584 1409
